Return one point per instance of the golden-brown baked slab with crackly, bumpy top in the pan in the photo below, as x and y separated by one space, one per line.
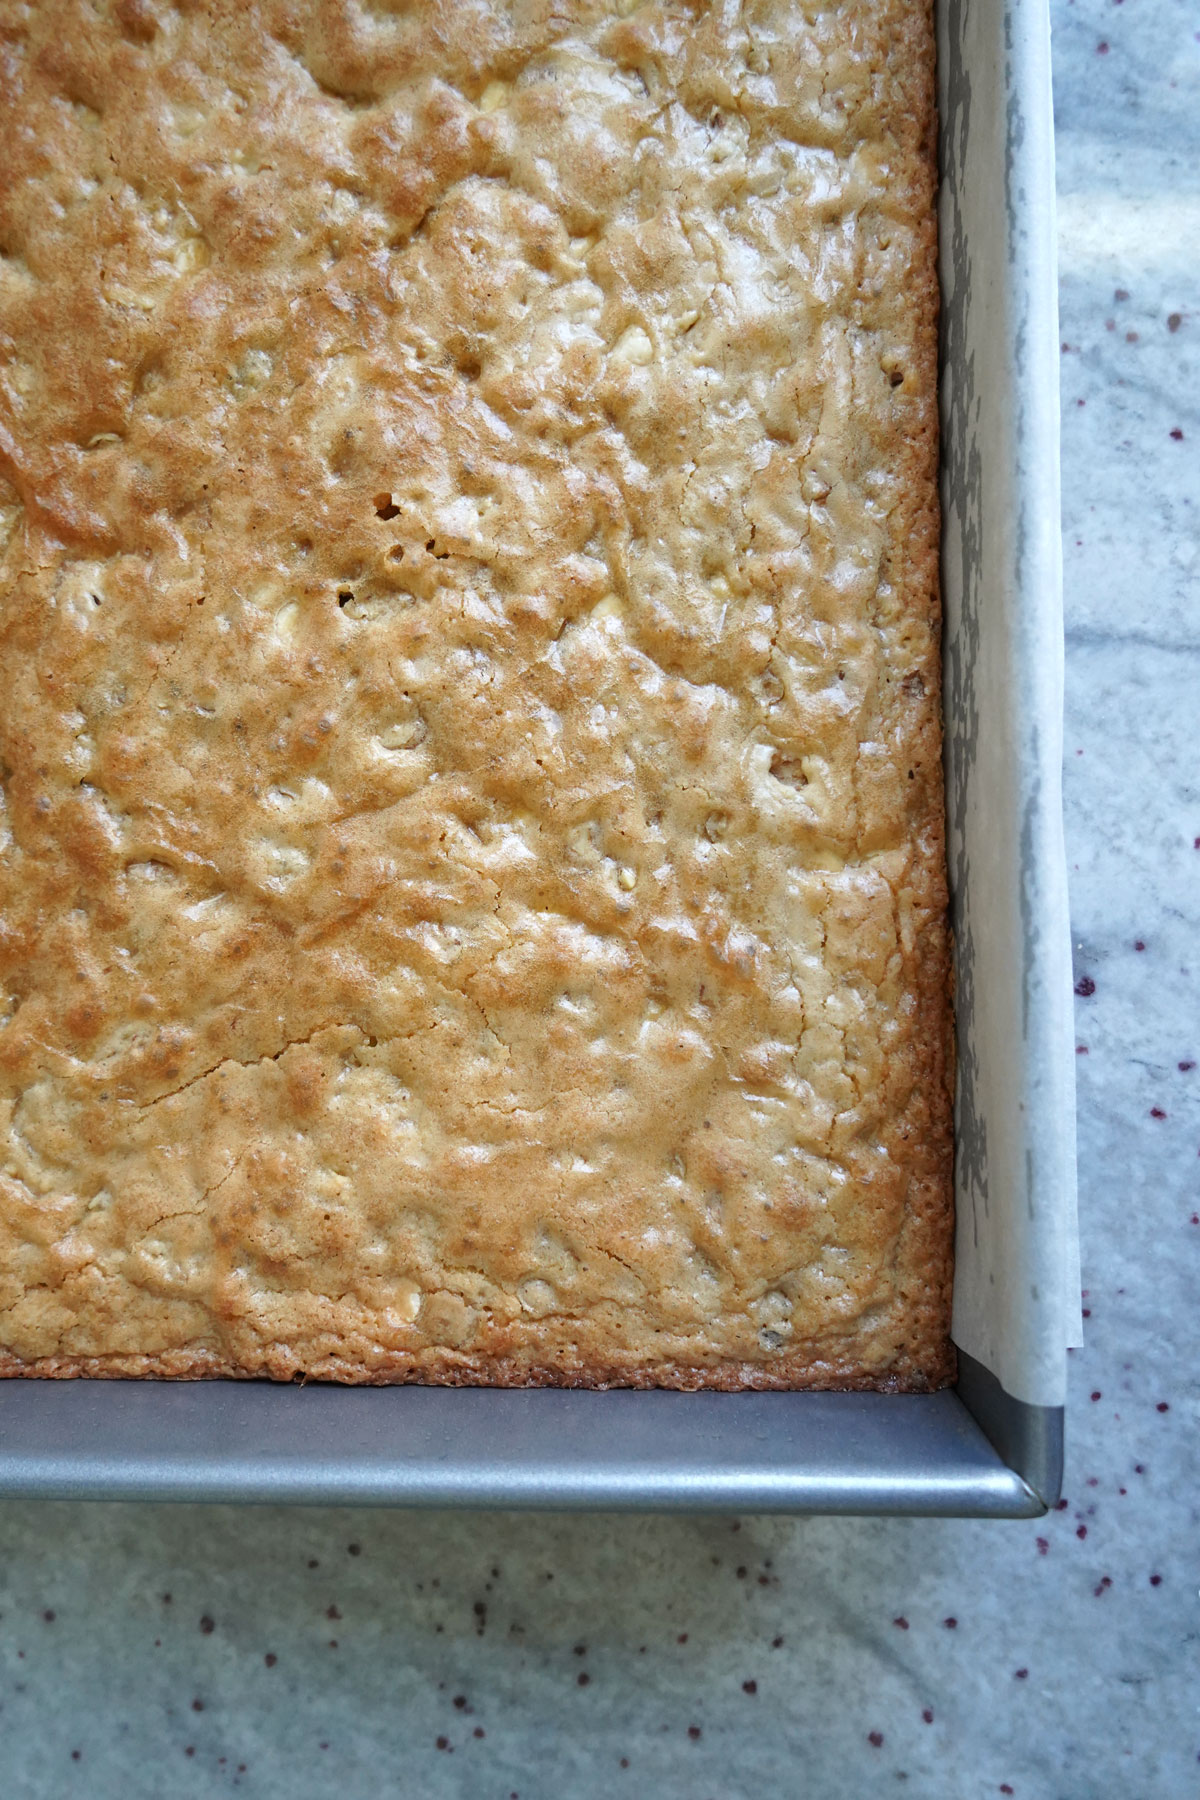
472 895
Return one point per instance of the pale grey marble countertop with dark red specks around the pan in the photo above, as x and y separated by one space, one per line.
1053 1660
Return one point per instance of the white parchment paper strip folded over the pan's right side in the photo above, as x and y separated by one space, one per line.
1017 1279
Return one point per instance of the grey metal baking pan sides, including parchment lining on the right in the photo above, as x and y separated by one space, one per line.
992 1448
